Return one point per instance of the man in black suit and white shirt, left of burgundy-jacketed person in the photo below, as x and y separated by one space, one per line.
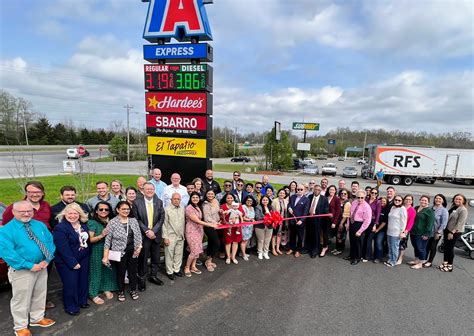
318 205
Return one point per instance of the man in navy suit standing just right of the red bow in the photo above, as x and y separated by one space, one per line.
298 205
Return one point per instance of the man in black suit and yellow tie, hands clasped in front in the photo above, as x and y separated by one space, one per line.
150 214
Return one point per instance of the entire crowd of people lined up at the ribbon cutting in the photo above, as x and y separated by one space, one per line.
102 244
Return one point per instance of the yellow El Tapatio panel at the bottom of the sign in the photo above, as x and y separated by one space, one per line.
171 146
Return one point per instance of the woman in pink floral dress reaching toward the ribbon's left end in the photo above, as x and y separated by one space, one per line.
194 233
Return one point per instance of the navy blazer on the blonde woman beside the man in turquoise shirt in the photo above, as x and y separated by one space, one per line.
68 248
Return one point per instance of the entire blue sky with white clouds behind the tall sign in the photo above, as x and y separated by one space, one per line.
396 65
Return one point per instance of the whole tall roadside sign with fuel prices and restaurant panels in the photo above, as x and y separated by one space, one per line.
179 87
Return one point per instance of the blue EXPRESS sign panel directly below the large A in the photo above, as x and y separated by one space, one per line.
179 52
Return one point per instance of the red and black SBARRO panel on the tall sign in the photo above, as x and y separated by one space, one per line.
179 125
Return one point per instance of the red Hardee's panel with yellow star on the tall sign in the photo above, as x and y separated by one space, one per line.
178 102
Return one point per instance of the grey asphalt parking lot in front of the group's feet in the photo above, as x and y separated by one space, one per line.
283 296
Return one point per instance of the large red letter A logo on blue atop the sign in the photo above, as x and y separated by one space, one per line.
179 19
